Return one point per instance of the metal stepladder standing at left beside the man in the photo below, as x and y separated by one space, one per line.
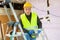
16 18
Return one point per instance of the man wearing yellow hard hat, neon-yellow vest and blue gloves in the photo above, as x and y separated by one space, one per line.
30 22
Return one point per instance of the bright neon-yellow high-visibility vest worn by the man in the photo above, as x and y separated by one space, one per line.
29 25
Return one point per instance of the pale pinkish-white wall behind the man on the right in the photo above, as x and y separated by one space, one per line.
52 29
